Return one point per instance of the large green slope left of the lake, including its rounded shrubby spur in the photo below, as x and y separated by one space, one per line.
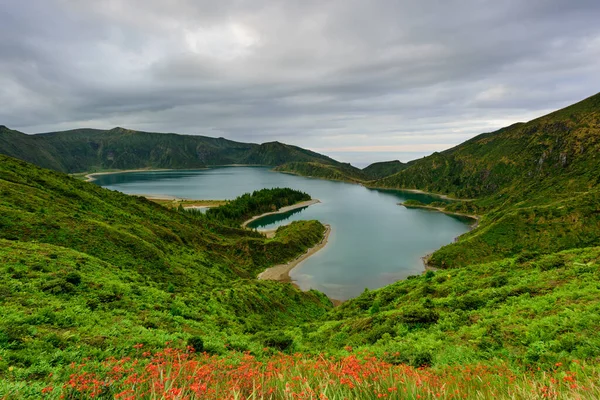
88 272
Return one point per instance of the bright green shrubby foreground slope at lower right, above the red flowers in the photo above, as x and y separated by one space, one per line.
530 311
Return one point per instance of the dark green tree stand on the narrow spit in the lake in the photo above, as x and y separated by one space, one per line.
258 202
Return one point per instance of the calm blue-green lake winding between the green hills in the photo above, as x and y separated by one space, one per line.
374 241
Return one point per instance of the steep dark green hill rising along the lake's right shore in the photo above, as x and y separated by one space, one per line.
536 186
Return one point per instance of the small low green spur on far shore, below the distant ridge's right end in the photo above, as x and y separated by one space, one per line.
339 172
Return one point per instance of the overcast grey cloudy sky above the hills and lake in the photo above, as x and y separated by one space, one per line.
360 81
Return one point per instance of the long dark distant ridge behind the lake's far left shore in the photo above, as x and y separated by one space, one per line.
86 150
